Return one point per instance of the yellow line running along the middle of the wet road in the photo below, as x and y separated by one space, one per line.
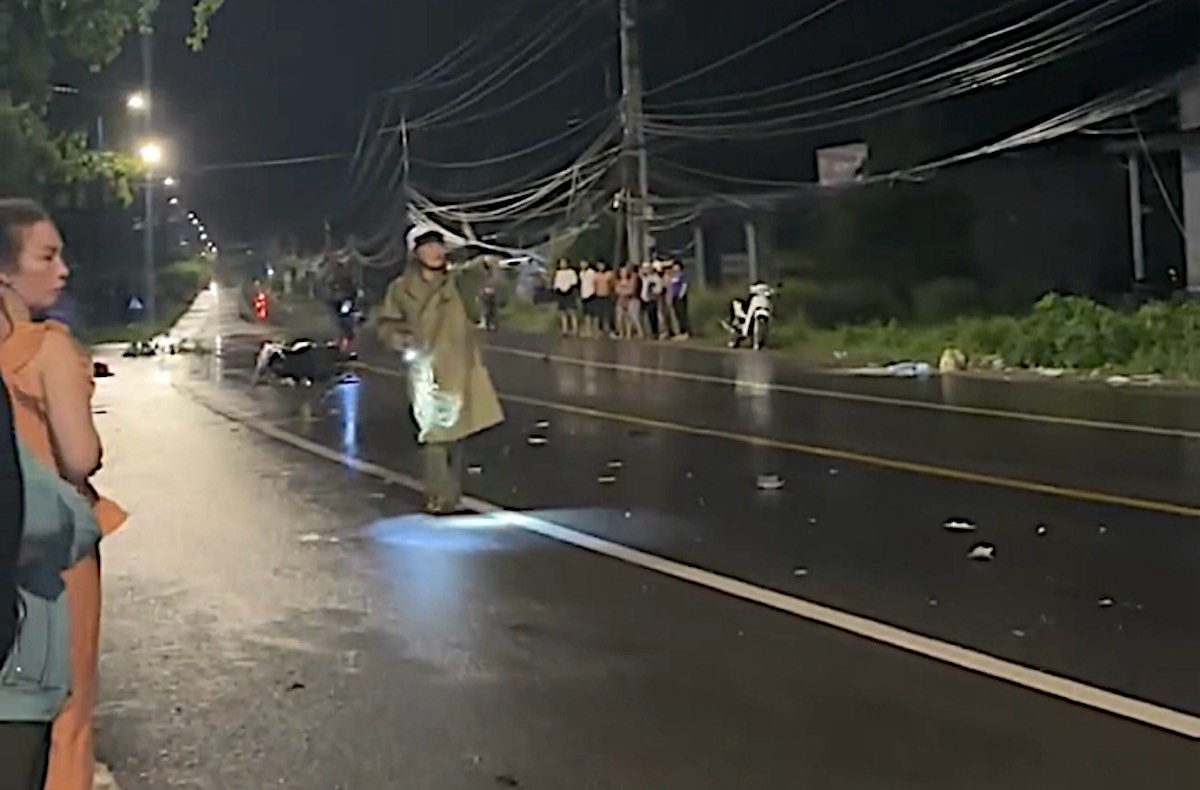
895 465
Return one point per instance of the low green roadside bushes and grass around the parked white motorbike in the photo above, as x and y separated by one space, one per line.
863 322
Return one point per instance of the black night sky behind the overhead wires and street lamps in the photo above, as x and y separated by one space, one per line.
284 80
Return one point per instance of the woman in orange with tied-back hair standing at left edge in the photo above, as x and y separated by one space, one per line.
50 380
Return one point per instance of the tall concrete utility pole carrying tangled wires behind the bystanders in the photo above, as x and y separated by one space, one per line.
634 160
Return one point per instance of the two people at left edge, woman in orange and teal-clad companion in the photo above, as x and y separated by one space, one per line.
51 519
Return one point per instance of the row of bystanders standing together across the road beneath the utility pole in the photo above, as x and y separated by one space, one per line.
631 302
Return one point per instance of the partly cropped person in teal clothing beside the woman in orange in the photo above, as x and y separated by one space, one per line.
47 529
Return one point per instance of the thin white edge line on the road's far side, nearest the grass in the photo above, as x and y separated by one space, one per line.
861 398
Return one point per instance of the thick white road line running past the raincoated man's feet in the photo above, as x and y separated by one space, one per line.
1079 693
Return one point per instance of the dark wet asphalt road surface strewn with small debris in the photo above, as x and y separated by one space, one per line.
275 620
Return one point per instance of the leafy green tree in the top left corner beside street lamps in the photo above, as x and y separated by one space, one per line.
37 35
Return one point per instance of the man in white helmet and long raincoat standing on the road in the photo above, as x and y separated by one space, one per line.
424 316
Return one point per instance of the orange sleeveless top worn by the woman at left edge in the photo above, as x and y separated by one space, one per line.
29 415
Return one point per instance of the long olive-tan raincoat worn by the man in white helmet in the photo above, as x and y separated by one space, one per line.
434 318
